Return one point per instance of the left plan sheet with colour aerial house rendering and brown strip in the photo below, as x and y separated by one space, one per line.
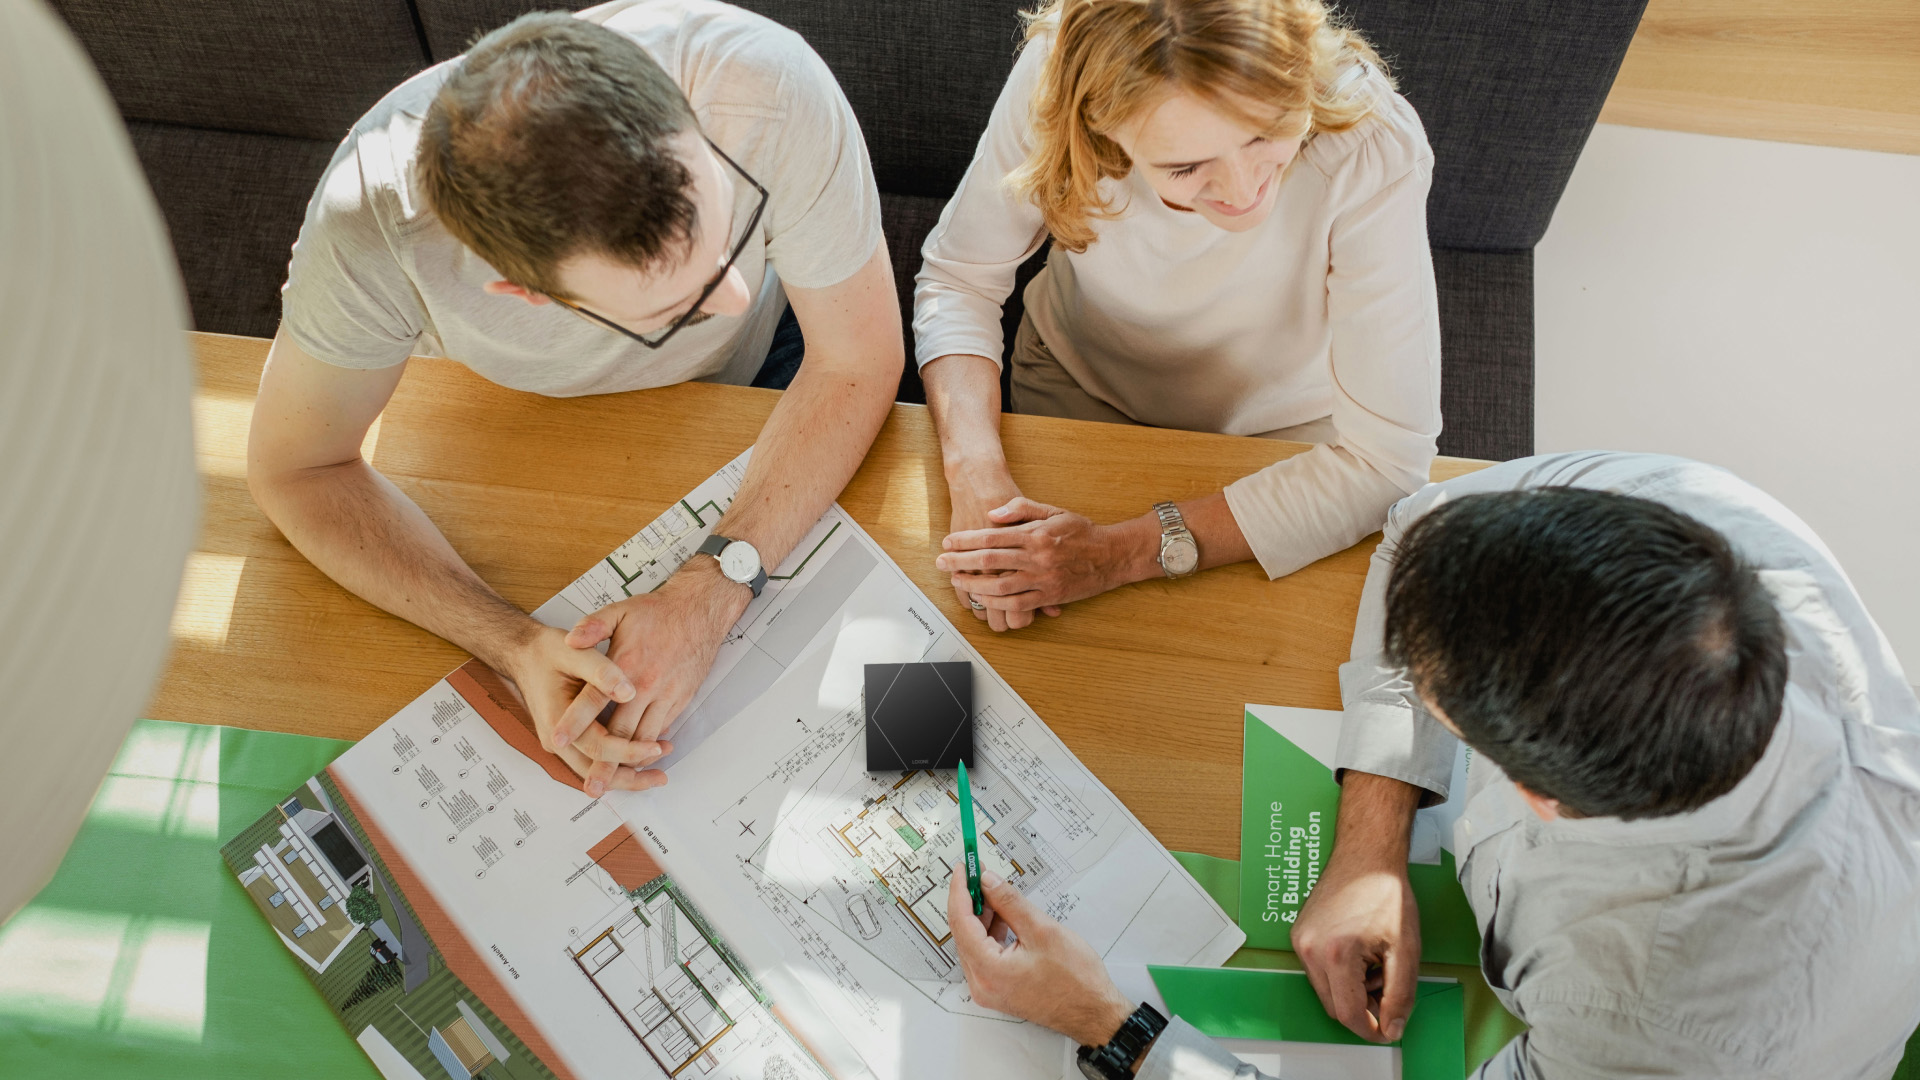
510 925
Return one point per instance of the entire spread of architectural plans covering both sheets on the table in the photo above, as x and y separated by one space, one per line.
771 914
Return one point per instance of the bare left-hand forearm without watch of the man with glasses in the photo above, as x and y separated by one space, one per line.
368 535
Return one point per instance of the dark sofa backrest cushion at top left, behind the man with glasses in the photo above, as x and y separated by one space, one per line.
266 66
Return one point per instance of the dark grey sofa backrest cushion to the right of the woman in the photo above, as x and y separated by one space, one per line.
1508 91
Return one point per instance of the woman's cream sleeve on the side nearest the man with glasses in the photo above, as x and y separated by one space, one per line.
984 235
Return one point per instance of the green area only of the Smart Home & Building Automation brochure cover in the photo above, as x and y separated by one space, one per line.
1289 802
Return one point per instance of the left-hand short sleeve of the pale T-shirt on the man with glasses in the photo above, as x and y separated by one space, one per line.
348 301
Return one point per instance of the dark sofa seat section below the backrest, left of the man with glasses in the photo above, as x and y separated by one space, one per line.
233 205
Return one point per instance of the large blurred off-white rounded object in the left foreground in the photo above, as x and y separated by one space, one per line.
97 466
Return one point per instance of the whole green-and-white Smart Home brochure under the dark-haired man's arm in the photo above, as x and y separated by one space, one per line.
1289 802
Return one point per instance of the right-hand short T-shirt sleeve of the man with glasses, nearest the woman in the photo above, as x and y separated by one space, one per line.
823 214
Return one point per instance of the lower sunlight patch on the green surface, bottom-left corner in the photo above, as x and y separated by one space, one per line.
103 971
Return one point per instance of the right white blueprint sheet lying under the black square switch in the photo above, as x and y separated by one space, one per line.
848 871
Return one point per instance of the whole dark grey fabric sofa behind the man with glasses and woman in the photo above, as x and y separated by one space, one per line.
235 109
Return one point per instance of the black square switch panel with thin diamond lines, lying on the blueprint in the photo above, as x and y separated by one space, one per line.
919 716
